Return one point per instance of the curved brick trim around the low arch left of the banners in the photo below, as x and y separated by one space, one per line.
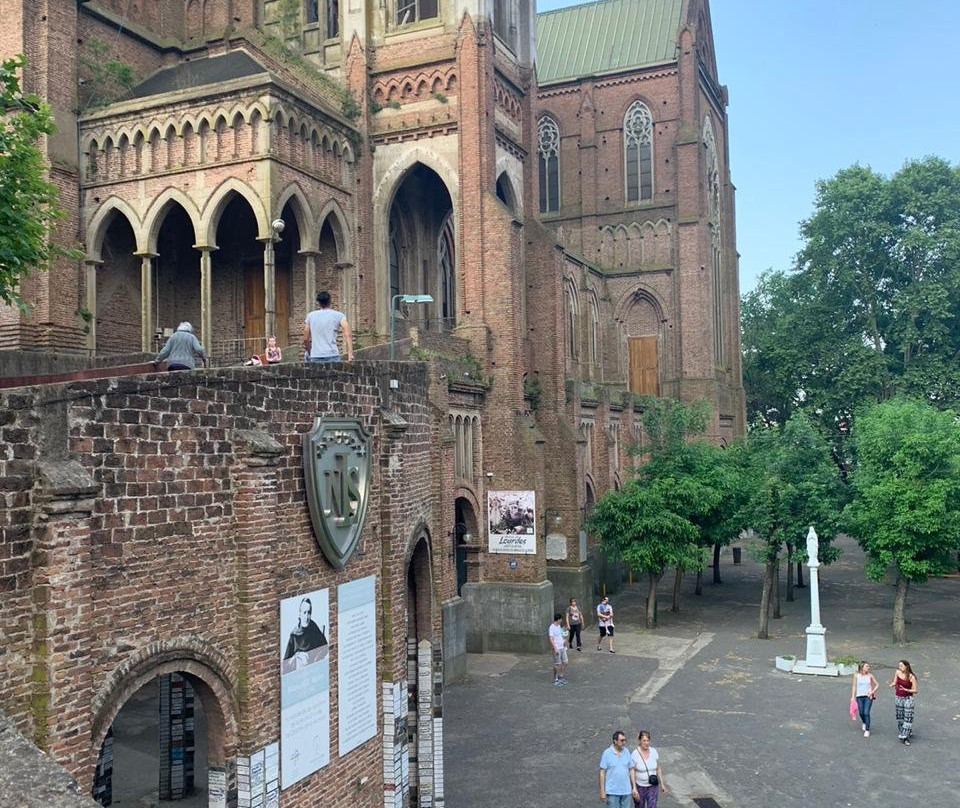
189 655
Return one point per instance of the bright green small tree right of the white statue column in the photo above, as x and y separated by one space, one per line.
906 508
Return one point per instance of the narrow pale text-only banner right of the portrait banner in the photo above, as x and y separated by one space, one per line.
357 662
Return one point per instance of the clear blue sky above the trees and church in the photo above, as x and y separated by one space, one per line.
817 85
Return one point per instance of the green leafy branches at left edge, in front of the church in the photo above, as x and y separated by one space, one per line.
28 201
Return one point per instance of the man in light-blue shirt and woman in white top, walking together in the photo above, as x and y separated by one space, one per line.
626 776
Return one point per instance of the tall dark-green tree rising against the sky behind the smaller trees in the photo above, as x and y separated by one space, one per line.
872 309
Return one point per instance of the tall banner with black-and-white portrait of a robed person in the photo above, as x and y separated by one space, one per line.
304 685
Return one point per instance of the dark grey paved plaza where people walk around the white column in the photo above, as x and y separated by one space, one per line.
727 724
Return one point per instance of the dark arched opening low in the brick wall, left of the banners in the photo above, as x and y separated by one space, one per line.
161 745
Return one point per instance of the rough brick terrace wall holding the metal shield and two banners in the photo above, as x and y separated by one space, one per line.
193 539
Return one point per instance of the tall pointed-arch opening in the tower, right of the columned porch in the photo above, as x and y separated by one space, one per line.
421 253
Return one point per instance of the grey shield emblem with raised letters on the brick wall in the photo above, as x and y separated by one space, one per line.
336 469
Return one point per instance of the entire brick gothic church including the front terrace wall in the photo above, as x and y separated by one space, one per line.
557 184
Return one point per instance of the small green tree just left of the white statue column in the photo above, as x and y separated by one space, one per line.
787 483
